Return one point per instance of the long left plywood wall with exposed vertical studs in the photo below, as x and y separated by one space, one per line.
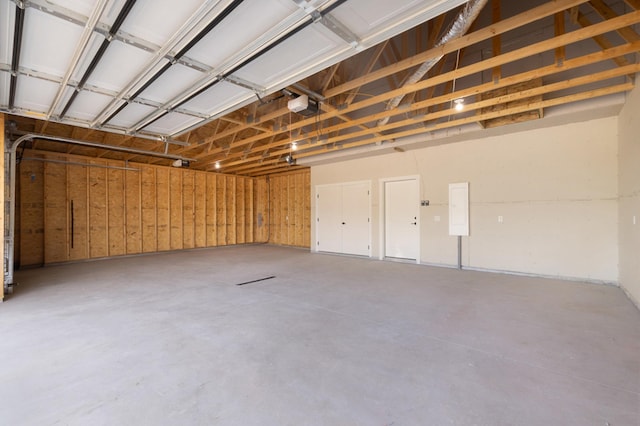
74 212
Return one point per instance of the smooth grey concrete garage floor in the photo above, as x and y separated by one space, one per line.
169 339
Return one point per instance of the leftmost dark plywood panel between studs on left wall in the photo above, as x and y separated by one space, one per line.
31 213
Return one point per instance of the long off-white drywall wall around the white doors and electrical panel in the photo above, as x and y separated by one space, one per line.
556 189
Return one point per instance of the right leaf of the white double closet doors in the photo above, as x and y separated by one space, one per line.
355 219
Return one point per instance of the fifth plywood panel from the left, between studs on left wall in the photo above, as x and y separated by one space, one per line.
115 212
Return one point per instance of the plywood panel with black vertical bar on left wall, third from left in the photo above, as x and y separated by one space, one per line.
77 192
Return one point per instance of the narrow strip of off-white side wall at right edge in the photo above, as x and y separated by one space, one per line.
629 187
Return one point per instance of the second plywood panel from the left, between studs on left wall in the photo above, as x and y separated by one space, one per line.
56 213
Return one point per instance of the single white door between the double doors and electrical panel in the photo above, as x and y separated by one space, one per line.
401 219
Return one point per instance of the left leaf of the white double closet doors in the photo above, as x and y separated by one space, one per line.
329 218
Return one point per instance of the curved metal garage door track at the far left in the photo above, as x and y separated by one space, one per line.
10 180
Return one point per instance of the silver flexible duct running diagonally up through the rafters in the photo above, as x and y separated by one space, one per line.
460 26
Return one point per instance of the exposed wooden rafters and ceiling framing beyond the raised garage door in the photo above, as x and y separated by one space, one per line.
254 140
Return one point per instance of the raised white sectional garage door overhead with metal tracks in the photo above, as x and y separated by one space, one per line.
257 47
